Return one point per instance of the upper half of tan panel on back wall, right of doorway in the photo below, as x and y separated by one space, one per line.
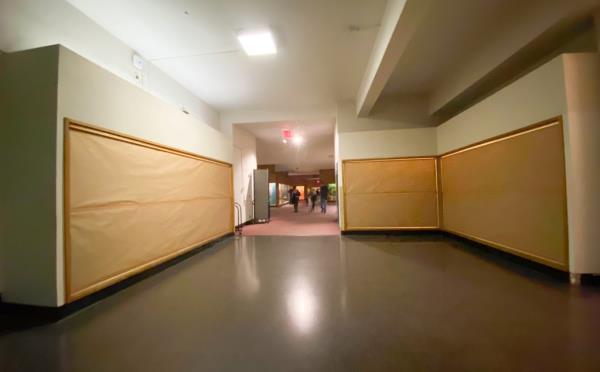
400 175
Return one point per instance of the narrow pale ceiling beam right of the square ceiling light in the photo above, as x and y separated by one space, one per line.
399 22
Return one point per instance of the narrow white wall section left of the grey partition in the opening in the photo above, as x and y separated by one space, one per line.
244 163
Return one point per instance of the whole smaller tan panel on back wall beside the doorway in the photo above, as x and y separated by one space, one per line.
389 194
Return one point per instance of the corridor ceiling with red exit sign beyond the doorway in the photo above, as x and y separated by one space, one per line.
315 153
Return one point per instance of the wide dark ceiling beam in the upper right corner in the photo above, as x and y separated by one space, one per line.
523 34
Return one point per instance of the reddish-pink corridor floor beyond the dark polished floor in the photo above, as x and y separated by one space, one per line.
304 223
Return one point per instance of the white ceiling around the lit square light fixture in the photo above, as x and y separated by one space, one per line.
320 61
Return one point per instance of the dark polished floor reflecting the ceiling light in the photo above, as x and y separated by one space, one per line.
366 303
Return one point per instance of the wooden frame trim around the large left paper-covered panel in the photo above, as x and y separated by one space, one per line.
70 124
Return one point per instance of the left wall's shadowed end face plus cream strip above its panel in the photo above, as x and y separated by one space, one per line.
56 83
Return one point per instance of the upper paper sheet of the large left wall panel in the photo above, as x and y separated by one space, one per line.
109 171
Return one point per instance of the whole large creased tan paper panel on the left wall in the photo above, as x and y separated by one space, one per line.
132 206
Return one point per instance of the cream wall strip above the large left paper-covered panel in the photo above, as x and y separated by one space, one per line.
92 94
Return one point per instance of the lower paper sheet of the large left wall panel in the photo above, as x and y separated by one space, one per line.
109 241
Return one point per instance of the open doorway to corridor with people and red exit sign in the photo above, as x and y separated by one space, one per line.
300 158
